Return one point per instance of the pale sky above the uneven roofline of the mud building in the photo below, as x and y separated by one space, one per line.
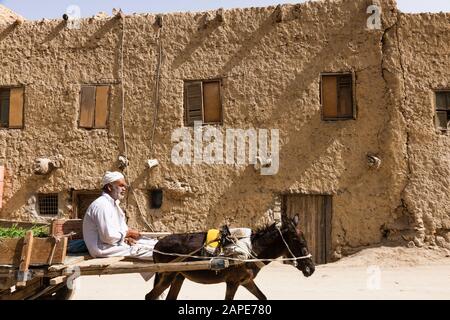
38 9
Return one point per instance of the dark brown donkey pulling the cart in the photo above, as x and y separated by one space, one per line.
270 242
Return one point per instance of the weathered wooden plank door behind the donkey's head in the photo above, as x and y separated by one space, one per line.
314 212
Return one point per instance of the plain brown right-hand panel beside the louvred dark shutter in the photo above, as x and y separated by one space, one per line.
211 102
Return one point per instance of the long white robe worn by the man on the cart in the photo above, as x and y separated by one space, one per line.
104 231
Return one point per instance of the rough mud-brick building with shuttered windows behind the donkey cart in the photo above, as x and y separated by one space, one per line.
362 113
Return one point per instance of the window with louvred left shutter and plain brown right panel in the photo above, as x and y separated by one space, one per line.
202 102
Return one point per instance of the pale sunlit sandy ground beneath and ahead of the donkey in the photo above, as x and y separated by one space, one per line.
380 273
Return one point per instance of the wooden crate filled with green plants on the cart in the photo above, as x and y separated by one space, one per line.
45 250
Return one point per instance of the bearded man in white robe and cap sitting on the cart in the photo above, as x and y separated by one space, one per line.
105 230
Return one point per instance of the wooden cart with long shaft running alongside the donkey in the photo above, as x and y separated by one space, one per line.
44 271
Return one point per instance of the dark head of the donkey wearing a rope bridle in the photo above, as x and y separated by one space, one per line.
296 246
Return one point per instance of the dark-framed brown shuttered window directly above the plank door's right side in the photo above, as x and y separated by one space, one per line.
337 97
